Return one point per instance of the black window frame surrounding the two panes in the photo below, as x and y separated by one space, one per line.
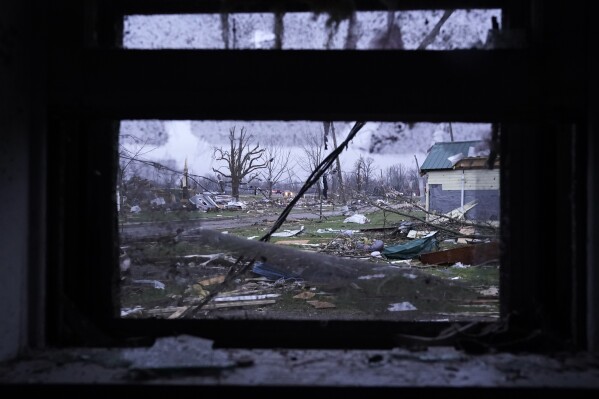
93 84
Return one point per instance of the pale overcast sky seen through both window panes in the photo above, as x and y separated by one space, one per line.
387 143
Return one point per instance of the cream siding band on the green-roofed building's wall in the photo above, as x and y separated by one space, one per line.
476 179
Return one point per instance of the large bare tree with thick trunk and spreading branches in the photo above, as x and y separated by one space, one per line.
243 159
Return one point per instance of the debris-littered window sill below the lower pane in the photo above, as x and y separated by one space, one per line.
186 361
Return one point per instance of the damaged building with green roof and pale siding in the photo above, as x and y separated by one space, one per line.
456 173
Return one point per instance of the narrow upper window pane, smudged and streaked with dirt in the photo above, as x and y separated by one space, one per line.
359 30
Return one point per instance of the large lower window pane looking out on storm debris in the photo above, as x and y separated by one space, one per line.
216 220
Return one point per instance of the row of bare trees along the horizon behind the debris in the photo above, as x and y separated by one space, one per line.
246 165
